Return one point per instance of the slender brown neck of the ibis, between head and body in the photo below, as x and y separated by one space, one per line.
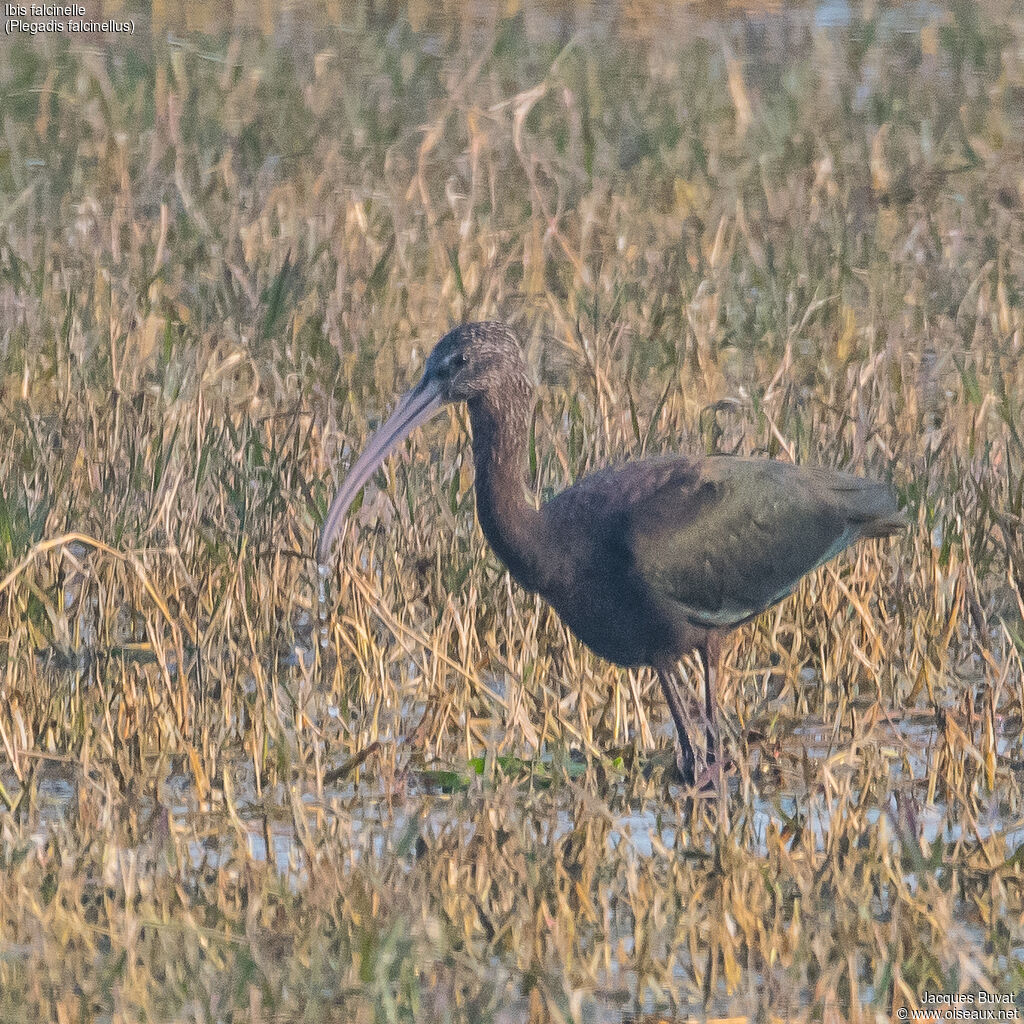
509 520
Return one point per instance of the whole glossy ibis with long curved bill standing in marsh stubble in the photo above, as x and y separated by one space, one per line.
645 563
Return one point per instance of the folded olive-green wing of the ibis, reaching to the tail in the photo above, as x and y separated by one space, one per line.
728 538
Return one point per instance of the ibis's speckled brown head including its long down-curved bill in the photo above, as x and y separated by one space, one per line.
473 362
